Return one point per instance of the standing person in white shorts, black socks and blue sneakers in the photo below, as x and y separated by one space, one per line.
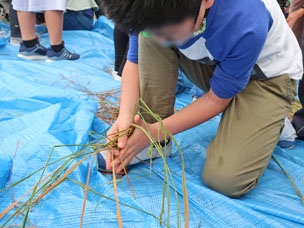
30 48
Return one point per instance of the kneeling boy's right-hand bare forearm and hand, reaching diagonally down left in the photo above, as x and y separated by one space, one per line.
196 113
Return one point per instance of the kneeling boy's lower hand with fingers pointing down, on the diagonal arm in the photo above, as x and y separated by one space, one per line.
129 148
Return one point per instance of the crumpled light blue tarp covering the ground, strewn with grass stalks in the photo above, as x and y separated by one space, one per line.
46 104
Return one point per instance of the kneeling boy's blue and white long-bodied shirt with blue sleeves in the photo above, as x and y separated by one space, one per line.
234 38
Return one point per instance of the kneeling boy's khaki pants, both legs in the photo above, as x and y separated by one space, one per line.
250 127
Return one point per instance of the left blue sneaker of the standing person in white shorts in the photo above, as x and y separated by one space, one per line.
38 52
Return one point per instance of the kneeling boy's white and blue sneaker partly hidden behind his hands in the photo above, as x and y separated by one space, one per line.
144 155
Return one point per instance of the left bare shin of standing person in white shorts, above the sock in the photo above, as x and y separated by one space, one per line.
27 21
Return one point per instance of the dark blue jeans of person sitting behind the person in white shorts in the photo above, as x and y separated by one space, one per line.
78 20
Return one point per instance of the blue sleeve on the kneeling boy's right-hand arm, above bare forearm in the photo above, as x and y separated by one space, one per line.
232 74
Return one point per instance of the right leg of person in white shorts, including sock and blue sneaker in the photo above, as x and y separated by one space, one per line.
54 24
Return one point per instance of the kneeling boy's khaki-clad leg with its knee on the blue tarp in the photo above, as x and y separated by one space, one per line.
248 134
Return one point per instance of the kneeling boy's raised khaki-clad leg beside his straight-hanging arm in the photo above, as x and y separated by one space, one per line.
158 71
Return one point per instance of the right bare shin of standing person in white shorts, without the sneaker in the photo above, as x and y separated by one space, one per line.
54 23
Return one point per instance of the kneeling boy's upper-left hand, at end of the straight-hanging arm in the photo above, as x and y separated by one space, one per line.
121 125
